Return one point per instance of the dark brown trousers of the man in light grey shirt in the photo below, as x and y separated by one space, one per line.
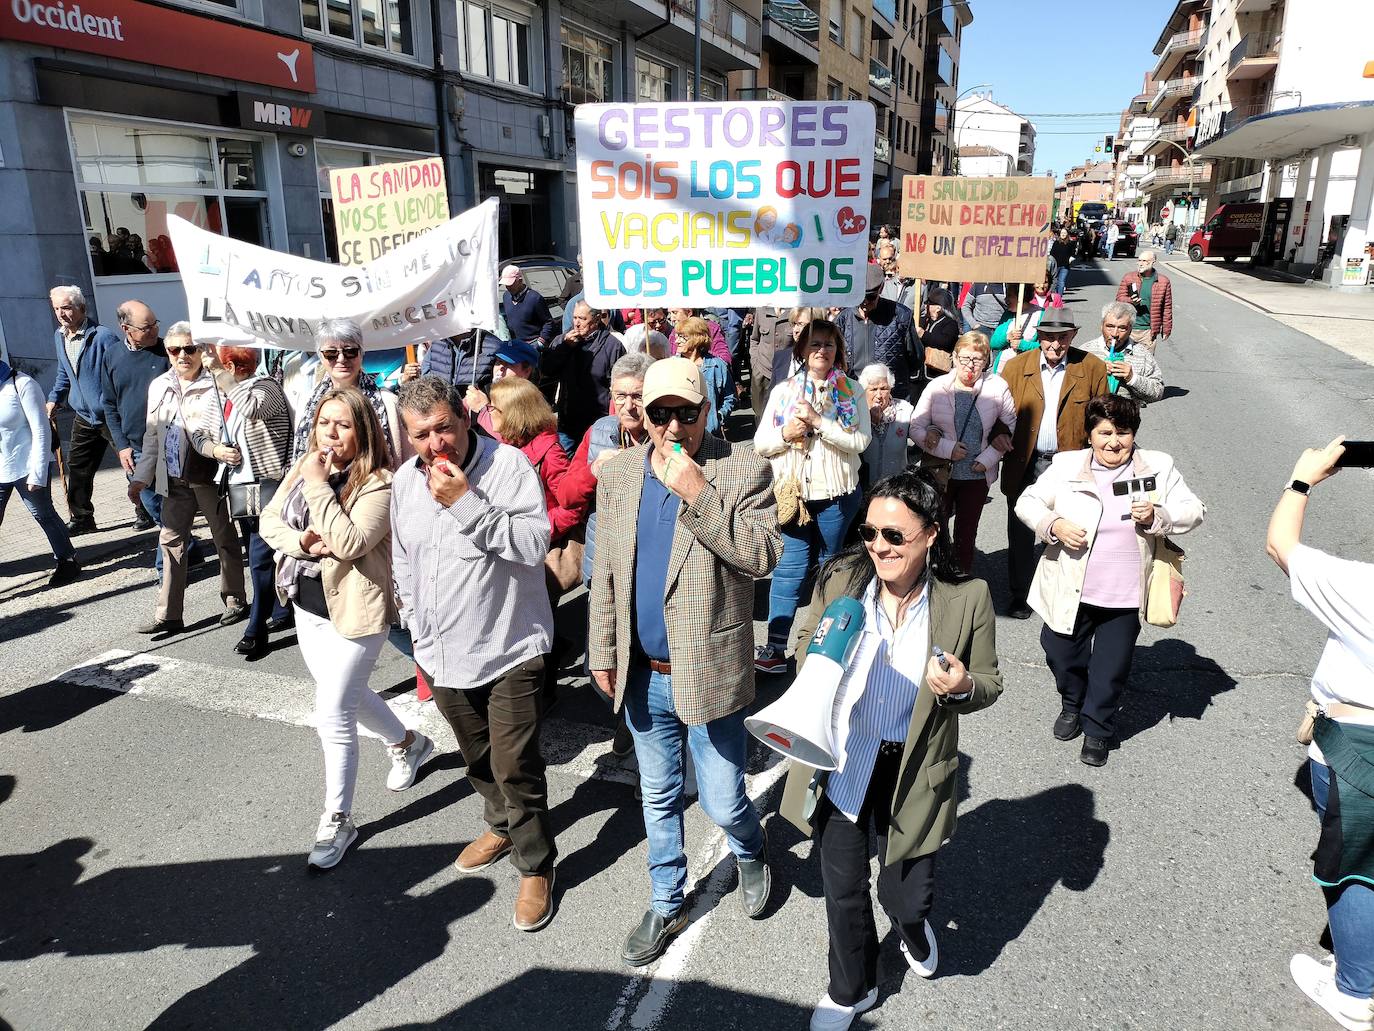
498 729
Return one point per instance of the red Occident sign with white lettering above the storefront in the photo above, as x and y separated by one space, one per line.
160 36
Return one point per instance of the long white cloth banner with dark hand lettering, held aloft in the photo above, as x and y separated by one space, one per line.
439 285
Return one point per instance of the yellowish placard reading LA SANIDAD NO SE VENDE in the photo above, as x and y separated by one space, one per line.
379 208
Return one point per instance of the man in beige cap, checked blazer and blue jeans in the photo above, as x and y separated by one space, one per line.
686 523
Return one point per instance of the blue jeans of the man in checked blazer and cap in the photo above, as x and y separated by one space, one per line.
719 750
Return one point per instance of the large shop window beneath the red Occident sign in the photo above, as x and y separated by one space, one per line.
133 177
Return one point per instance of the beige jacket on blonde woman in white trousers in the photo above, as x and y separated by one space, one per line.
358 578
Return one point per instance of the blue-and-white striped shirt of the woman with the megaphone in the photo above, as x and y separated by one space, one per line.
890 695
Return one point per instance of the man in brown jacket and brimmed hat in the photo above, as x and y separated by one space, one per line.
1052 377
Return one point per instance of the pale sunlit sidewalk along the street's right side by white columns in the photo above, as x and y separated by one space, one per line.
1340 320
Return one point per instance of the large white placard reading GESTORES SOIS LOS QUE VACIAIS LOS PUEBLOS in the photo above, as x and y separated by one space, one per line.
725 204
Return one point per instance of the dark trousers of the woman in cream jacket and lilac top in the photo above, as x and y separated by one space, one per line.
1092 666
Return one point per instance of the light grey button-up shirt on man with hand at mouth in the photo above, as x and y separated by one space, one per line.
471 578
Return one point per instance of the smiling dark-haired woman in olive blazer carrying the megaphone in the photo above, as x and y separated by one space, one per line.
928 655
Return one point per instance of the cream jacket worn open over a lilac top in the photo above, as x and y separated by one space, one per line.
1070 491
